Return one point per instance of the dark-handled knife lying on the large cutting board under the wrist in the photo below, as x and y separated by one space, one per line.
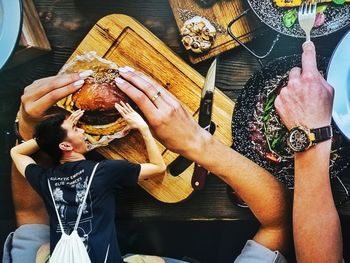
180 164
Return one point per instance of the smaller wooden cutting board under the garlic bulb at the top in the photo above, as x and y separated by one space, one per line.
220 15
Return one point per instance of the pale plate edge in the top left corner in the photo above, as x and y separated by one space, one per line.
10 25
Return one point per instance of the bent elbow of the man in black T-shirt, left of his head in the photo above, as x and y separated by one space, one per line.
21 153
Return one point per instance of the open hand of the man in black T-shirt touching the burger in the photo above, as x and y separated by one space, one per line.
133 119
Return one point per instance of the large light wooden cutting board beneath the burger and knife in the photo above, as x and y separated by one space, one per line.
123 40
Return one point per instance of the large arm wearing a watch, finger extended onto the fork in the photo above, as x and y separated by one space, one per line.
307 100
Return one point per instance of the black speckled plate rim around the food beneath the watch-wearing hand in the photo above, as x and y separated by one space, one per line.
244 109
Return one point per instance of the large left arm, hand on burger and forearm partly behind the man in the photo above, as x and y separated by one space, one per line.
36 100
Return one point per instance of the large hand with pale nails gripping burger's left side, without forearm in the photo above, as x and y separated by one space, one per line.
42 94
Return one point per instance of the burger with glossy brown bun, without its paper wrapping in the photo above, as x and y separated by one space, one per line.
97 98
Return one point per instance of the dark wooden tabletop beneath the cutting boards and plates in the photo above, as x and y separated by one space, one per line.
67 22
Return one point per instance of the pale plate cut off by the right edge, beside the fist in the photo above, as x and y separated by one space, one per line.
339 77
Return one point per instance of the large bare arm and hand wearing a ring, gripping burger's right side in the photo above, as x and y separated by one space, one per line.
175 128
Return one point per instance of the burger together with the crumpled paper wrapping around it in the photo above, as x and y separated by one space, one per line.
97 96
